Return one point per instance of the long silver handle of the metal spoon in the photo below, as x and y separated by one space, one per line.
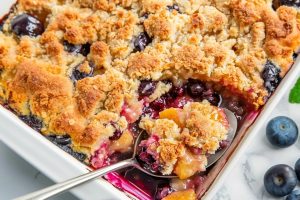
71 183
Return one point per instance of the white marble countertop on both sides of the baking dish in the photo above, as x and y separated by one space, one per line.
17 177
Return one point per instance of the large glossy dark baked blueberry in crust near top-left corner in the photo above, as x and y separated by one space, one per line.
26 24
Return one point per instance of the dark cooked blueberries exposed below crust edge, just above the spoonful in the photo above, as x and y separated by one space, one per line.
178 96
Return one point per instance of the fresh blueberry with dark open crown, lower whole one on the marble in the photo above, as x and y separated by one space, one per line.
280 180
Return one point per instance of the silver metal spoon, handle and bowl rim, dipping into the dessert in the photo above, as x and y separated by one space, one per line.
132 162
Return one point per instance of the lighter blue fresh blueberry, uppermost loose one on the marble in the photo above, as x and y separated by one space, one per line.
282 131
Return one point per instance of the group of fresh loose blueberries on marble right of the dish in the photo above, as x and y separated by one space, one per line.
281 180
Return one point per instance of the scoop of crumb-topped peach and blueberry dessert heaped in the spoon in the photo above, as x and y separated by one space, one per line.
181 138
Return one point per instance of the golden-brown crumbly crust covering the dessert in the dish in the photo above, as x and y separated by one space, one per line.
224 42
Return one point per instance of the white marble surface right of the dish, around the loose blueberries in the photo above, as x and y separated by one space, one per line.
246 179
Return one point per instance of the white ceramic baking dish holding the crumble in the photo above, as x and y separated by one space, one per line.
60 166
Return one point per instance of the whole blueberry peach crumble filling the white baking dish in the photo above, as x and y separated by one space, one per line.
90 75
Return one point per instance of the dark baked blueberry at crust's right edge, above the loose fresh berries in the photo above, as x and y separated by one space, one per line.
271 76
